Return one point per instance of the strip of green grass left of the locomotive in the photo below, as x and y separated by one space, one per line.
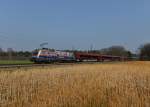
11 62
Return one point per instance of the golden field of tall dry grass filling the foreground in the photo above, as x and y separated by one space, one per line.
83 85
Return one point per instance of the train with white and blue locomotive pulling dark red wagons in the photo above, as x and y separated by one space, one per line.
49 56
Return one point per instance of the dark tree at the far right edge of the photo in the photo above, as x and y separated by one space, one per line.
145 51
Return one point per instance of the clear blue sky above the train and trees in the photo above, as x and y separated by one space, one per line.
78 24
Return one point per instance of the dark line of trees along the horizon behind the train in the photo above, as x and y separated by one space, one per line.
142 54
